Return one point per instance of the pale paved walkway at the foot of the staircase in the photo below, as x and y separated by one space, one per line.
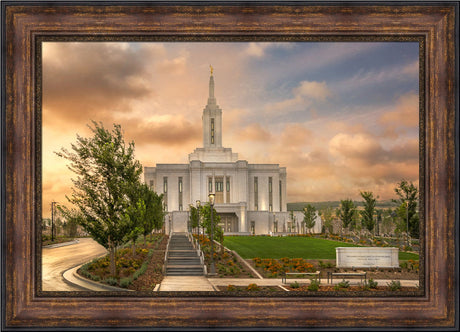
186 284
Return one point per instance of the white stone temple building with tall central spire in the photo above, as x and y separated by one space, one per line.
250 198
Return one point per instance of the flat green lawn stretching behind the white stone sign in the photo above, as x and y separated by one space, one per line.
292 247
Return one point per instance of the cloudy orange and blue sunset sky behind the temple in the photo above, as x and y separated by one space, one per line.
342 117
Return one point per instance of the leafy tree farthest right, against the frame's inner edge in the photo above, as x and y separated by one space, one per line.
407 194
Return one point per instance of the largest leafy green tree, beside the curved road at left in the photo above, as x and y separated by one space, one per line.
106 174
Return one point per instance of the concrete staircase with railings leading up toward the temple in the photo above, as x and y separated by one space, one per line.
182 259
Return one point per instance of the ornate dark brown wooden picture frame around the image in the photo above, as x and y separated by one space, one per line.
28 24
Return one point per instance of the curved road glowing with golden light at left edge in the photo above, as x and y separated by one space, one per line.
55 261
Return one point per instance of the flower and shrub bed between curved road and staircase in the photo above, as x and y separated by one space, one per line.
140 271
